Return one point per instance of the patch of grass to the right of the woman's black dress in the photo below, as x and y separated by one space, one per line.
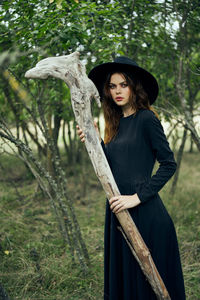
184 208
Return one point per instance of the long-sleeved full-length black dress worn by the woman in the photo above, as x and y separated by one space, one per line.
131 155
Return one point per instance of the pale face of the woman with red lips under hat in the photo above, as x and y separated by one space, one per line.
119 90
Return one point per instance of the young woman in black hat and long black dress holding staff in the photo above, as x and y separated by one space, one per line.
134 139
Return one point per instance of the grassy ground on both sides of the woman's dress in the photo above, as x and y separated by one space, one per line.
34 263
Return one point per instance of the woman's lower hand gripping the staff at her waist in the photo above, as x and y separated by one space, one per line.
119 203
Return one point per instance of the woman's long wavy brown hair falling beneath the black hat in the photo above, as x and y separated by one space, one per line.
113 113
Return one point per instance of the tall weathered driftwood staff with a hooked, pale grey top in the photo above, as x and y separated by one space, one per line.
72 72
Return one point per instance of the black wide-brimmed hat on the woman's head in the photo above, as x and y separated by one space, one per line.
100 73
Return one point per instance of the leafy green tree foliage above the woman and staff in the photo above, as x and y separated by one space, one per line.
154 33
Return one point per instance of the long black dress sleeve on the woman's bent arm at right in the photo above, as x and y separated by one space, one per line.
155 137
